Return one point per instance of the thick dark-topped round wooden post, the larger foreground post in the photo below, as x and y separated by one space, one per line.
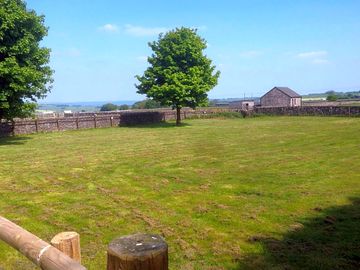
138 252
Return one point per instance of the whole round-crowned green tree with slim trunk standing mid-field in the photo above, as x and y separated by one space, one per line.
179 74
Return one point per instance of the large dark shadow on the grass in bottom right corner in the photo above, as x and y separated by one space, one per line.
329 241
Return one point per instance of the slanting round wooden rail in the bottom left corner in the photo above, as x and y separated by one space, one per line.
38 251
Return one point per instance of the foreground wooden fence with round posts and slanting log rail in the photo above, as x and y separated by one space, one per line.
133 252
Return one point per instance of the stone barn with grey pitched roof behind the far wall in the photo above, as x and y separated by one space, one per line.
281 97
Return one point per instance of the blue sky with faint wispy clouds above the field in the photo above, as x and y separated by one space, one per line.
98 46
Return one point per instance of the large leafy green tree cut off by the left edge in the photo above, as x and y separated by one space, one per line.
24 72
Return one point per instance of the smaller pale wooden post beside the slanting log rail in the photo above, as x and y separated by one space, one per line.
69 244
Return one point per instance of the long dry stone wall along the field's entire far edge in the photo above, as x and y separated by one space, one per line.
102 120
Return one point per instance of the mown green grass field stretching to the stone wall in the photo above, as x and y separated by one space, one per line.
257 193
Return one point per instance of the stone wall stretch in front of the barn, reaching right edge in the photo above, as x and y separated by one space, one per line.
311 110
